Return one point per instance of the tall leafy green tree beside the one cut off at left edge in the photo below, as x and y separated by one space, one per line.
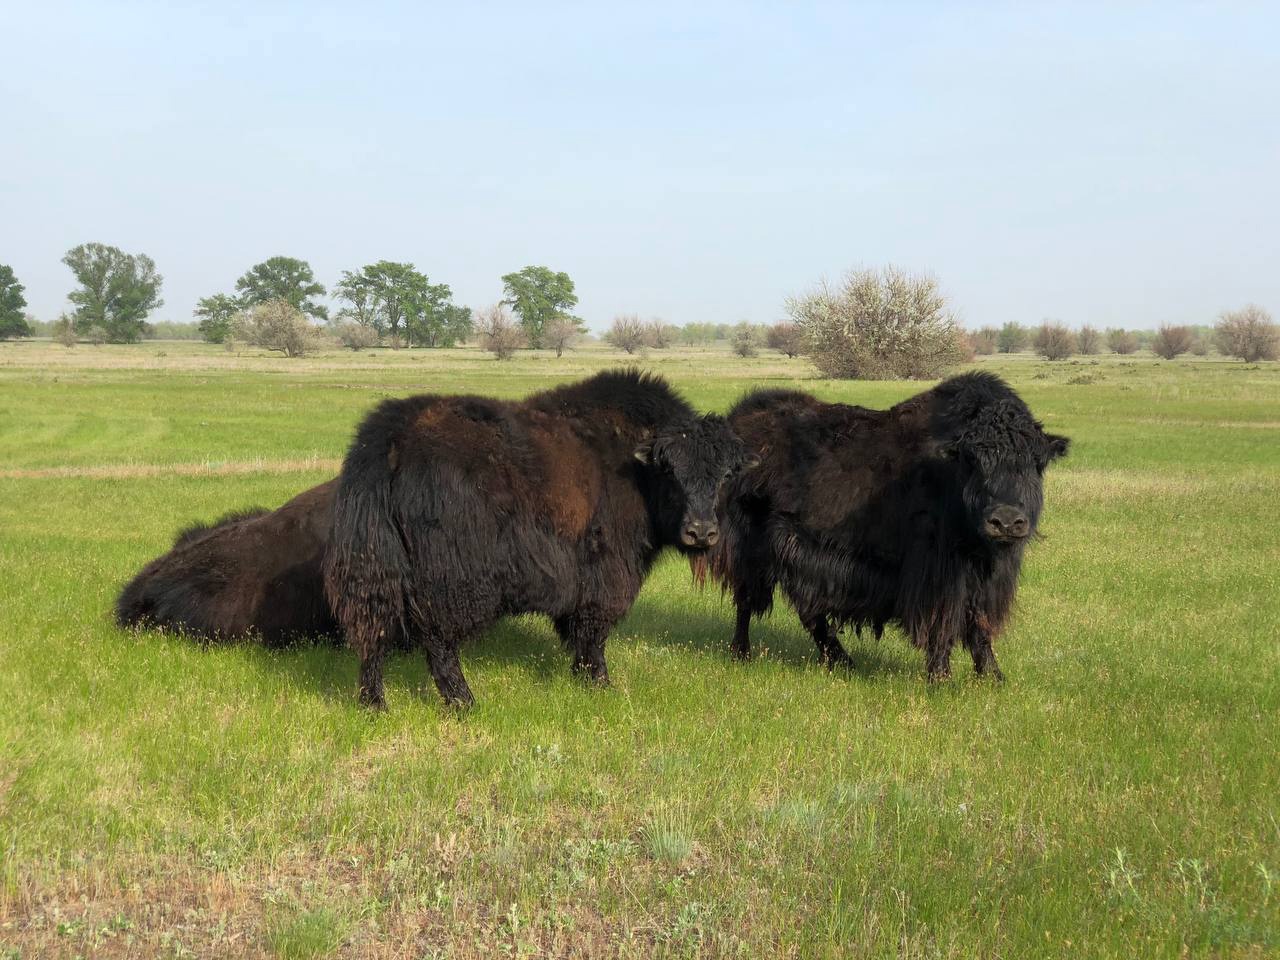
117 291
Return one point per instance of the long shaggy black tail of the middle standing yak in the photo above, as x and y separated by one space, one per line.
367 566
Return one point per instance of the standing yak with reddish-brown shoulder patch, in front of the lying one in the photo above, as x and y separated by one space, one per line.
456 511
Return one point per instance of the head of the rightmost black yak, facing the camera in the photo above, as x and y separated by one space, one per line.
1000 459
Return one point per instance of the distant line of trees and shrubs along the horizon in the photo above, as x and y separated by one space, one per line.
874 324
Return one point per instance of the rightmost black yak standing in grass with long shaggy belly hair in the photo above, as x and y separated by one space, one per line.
917 515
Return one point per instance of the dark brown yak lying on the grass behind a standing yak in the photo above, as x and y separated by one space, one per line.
253 573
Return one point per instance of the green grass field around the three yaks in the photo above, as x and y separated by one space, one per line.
1119 797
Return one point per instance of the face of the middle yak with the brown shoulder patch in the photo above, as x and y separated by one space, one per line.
691 464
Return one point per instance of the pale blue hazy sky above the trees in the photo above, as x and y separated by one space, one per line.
1113 164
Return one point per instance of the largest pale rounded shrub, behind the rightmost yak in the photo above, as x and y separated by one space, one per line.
877 326
